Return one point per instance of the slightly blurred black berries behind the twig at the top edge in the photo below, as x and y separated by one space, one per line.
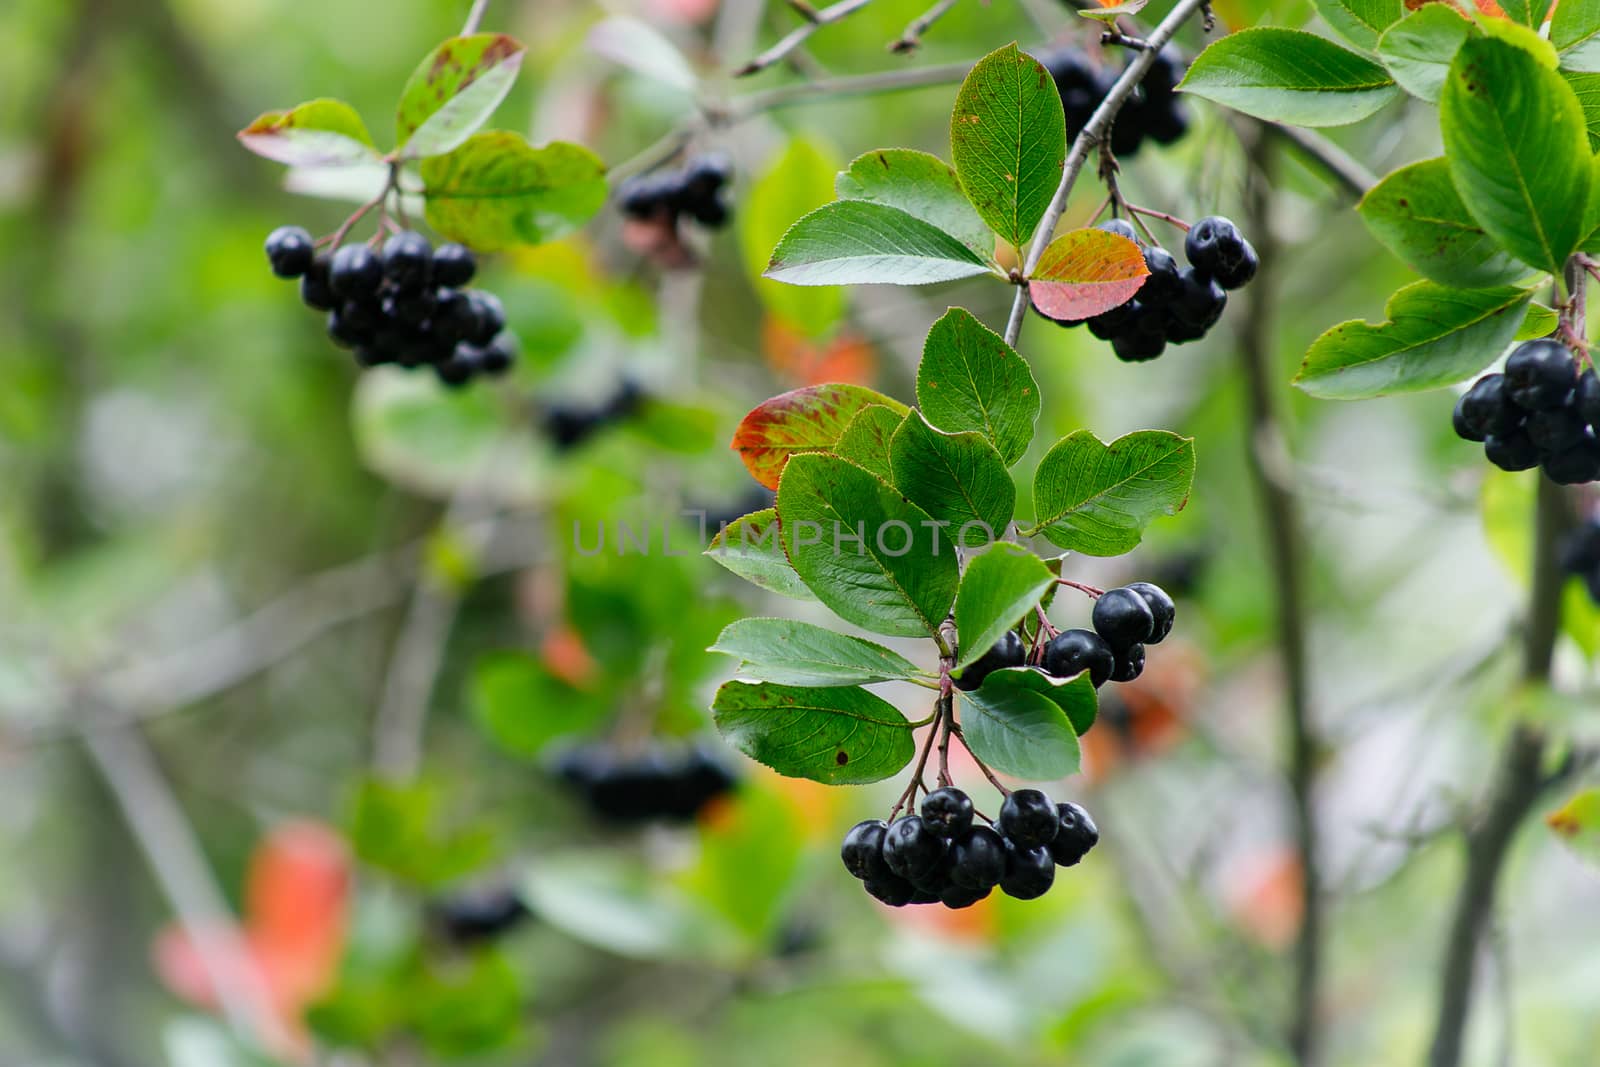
1154 111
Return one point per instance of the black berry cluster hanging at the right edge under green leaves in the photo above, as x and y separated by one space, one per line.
1540 414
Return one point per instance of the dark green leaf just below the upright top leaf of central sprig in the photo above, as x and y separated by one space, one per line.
959 479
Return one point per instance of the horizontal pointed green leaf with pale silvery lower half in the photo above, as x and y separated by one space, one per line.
857 242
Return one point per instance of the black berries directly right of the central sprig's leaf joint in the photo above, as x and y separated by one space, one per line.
1126 621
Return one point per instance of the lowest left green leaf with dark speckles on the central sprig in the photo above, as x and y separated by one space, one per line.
838 737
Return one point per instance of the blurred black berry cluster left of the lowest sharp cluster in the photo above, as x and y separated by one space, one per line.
671 785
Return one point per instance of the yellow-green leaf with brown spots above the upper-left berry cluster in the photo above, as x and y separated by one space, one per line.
498 191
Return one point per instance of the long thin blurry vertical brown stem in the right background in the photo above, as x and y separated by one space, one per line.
1286 553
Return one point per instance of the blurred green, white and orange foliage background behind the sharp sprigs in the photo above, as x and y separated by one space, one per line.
214 526
